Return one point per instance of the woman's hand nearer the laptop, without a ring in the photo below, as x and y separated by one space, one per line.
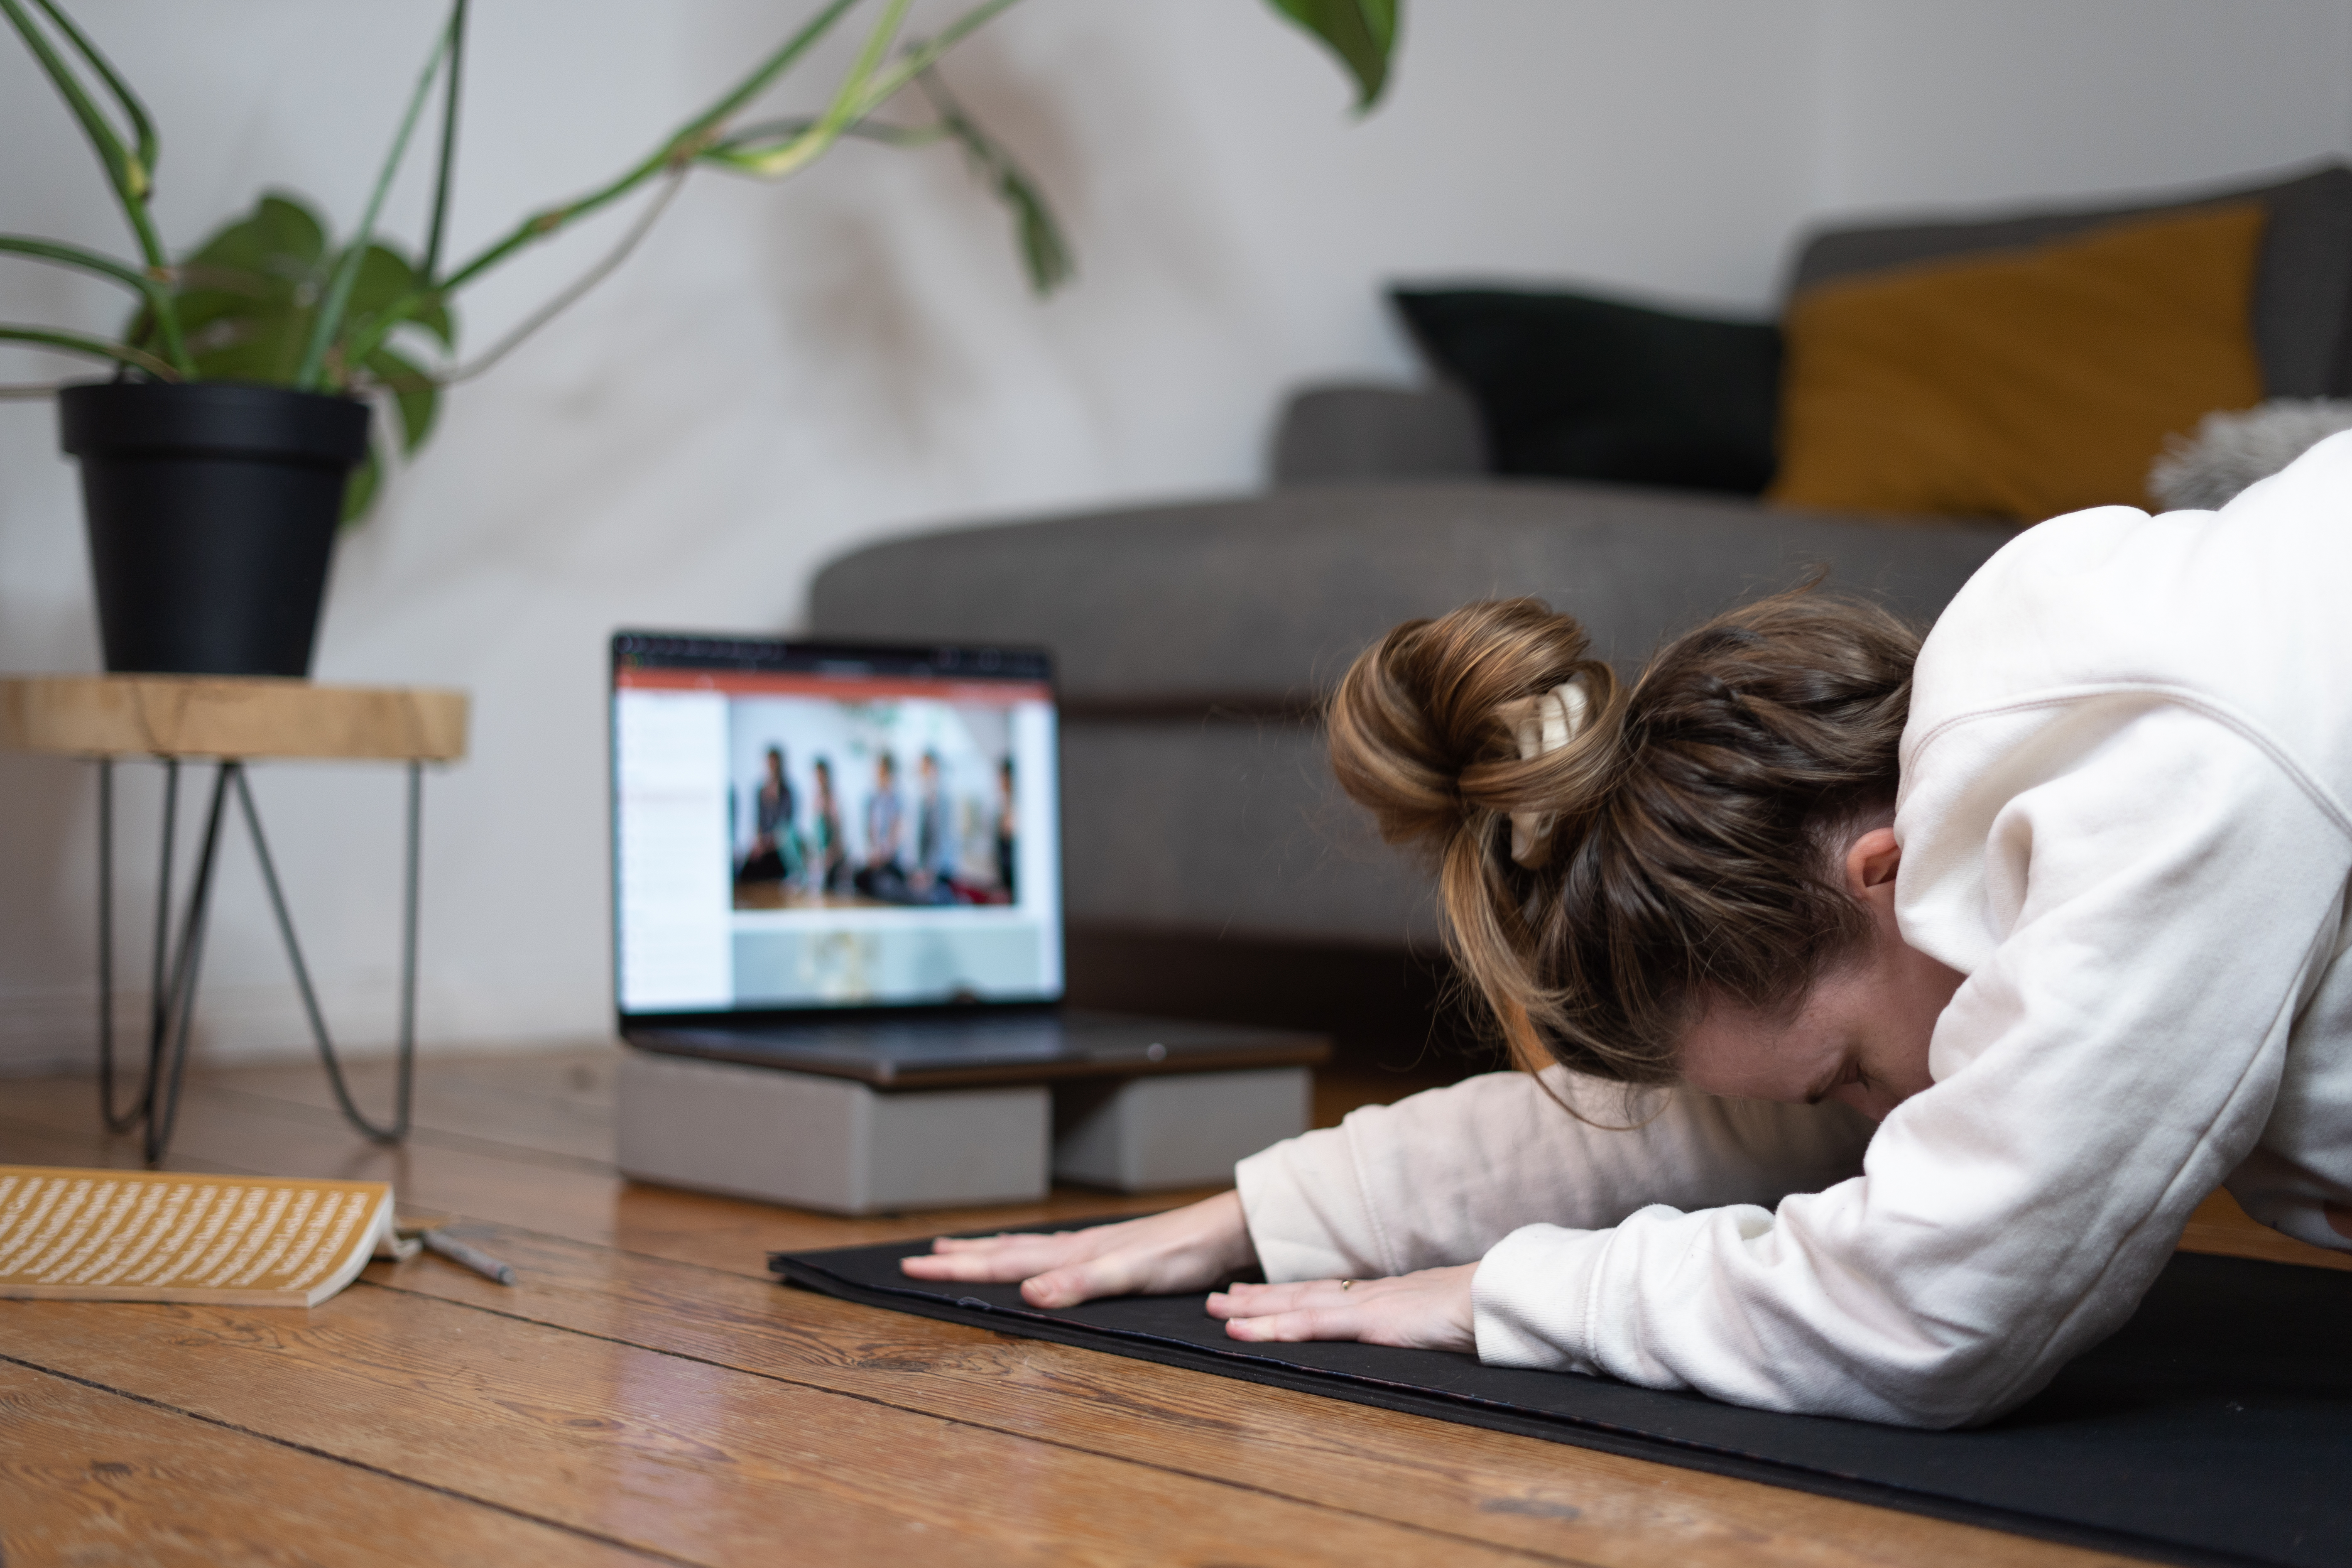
1165 1254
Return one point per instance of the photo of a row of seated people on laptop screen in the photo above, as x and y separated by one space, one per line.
890 803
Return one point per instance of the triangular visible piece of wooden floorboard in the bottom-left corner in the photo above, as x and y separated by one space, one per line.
93 1477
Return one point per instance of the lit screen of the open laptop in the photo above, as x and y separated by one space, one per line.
827 826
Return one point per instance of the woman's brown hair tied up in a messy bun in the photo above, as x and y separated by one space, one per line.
1695 843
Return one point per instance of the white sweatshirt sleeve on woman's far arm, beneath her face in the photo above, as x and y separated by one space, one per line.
1443 1177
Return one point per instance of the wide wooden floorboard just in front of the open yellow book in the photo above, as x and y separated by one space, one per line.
674 1456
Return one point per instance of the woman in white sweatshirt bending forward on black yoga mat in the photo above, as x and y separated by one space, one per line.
2057 904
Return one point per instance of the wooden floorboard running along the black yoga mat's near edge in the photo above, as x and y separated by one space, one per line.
1436 1475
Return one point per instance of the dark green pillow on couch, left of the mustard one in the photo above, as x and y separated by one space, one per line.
1593 389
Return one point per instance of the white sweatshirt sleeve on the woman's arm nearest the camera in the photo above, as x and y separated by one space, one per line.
2151 897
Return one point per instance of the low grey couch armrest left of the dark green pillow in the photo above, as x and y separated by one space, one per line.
1354 434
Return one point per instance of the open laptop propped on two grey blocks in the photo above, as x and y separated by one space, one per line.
846 859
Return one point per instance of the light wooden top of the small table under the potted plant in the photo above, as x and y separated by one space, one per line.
229 716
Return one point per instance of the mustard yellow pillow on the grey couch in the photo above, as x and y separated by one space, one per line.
2019 384
